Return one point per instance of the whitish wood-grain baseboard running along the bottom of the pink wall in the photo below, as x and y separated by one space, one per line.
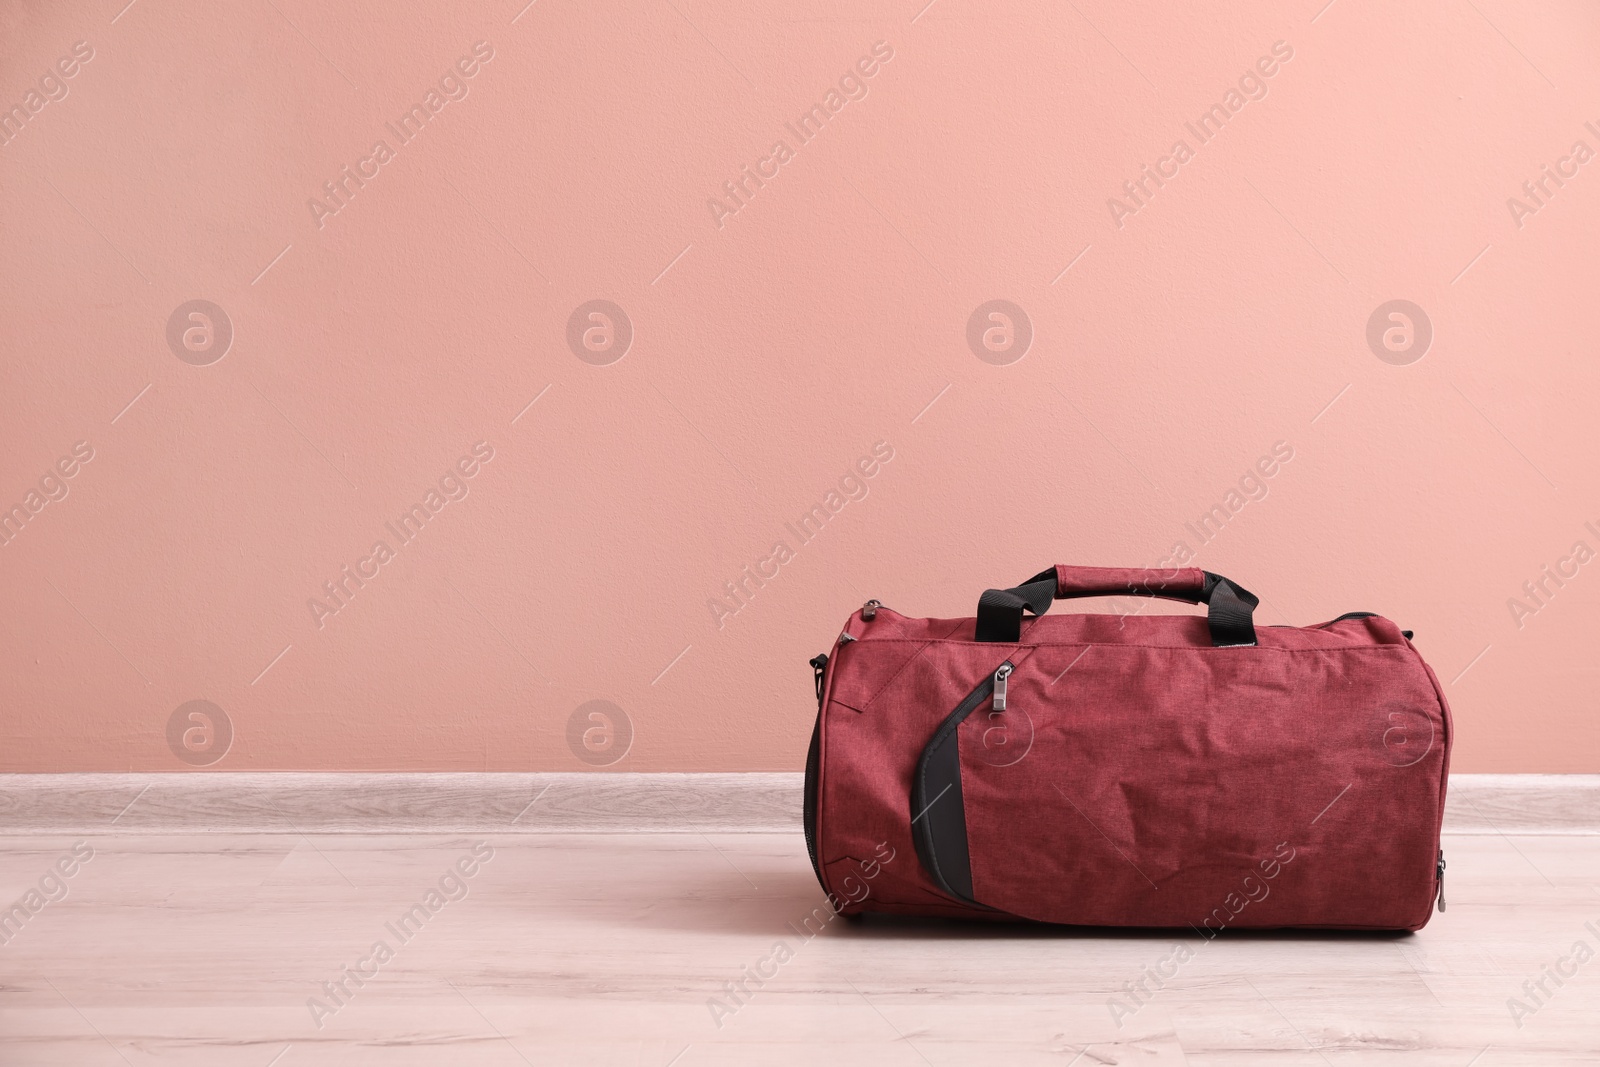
578 804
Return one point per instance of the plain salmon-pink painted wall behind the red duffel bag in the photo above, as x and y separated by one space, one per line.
1175 337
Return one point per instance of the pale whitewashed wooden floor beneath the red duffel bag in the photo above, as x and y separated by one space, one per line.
606 949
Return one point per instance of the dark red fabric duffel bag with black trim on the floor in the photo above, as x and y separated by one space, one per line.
1129 770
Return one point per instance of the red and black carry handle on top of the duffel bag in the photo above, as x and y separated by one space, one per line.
1230 607
